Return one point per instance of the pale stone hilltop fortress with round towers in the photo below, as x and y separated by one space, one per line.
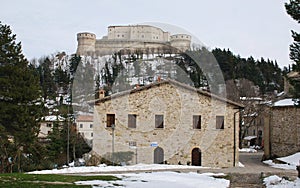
145 38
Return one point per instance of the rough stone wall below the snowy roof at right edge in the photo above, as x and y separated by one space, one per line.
284 131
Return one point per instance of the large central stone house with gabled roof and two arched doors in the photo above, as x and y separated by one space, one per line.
167 122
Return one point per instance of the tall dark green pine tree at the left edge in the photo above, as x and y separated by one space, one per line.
19 106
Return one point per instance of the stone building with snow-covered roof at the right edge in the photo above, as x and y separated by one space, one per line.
282 129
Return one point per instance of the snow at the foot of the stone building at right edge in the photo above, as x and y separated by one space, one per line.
291 162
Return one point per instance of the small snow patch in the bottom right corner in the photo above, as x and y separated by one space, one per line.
277 182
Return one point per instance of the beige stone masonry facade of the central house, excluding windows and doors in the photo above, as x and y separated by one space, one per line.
177 138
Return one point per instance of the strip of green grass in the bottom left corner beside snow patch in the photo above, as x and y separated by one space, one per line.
47 180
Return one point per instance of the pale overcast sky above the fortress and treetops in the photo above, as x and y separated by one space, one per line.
260 28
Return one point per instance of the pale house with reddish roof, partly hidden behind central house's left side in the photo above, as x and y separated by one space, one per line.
84 126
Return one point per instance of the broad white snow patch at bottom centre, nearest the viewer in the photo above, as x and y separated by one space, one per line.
163 179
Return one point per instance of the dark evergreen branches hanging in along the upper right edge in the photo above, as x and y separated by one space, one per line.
293 9
